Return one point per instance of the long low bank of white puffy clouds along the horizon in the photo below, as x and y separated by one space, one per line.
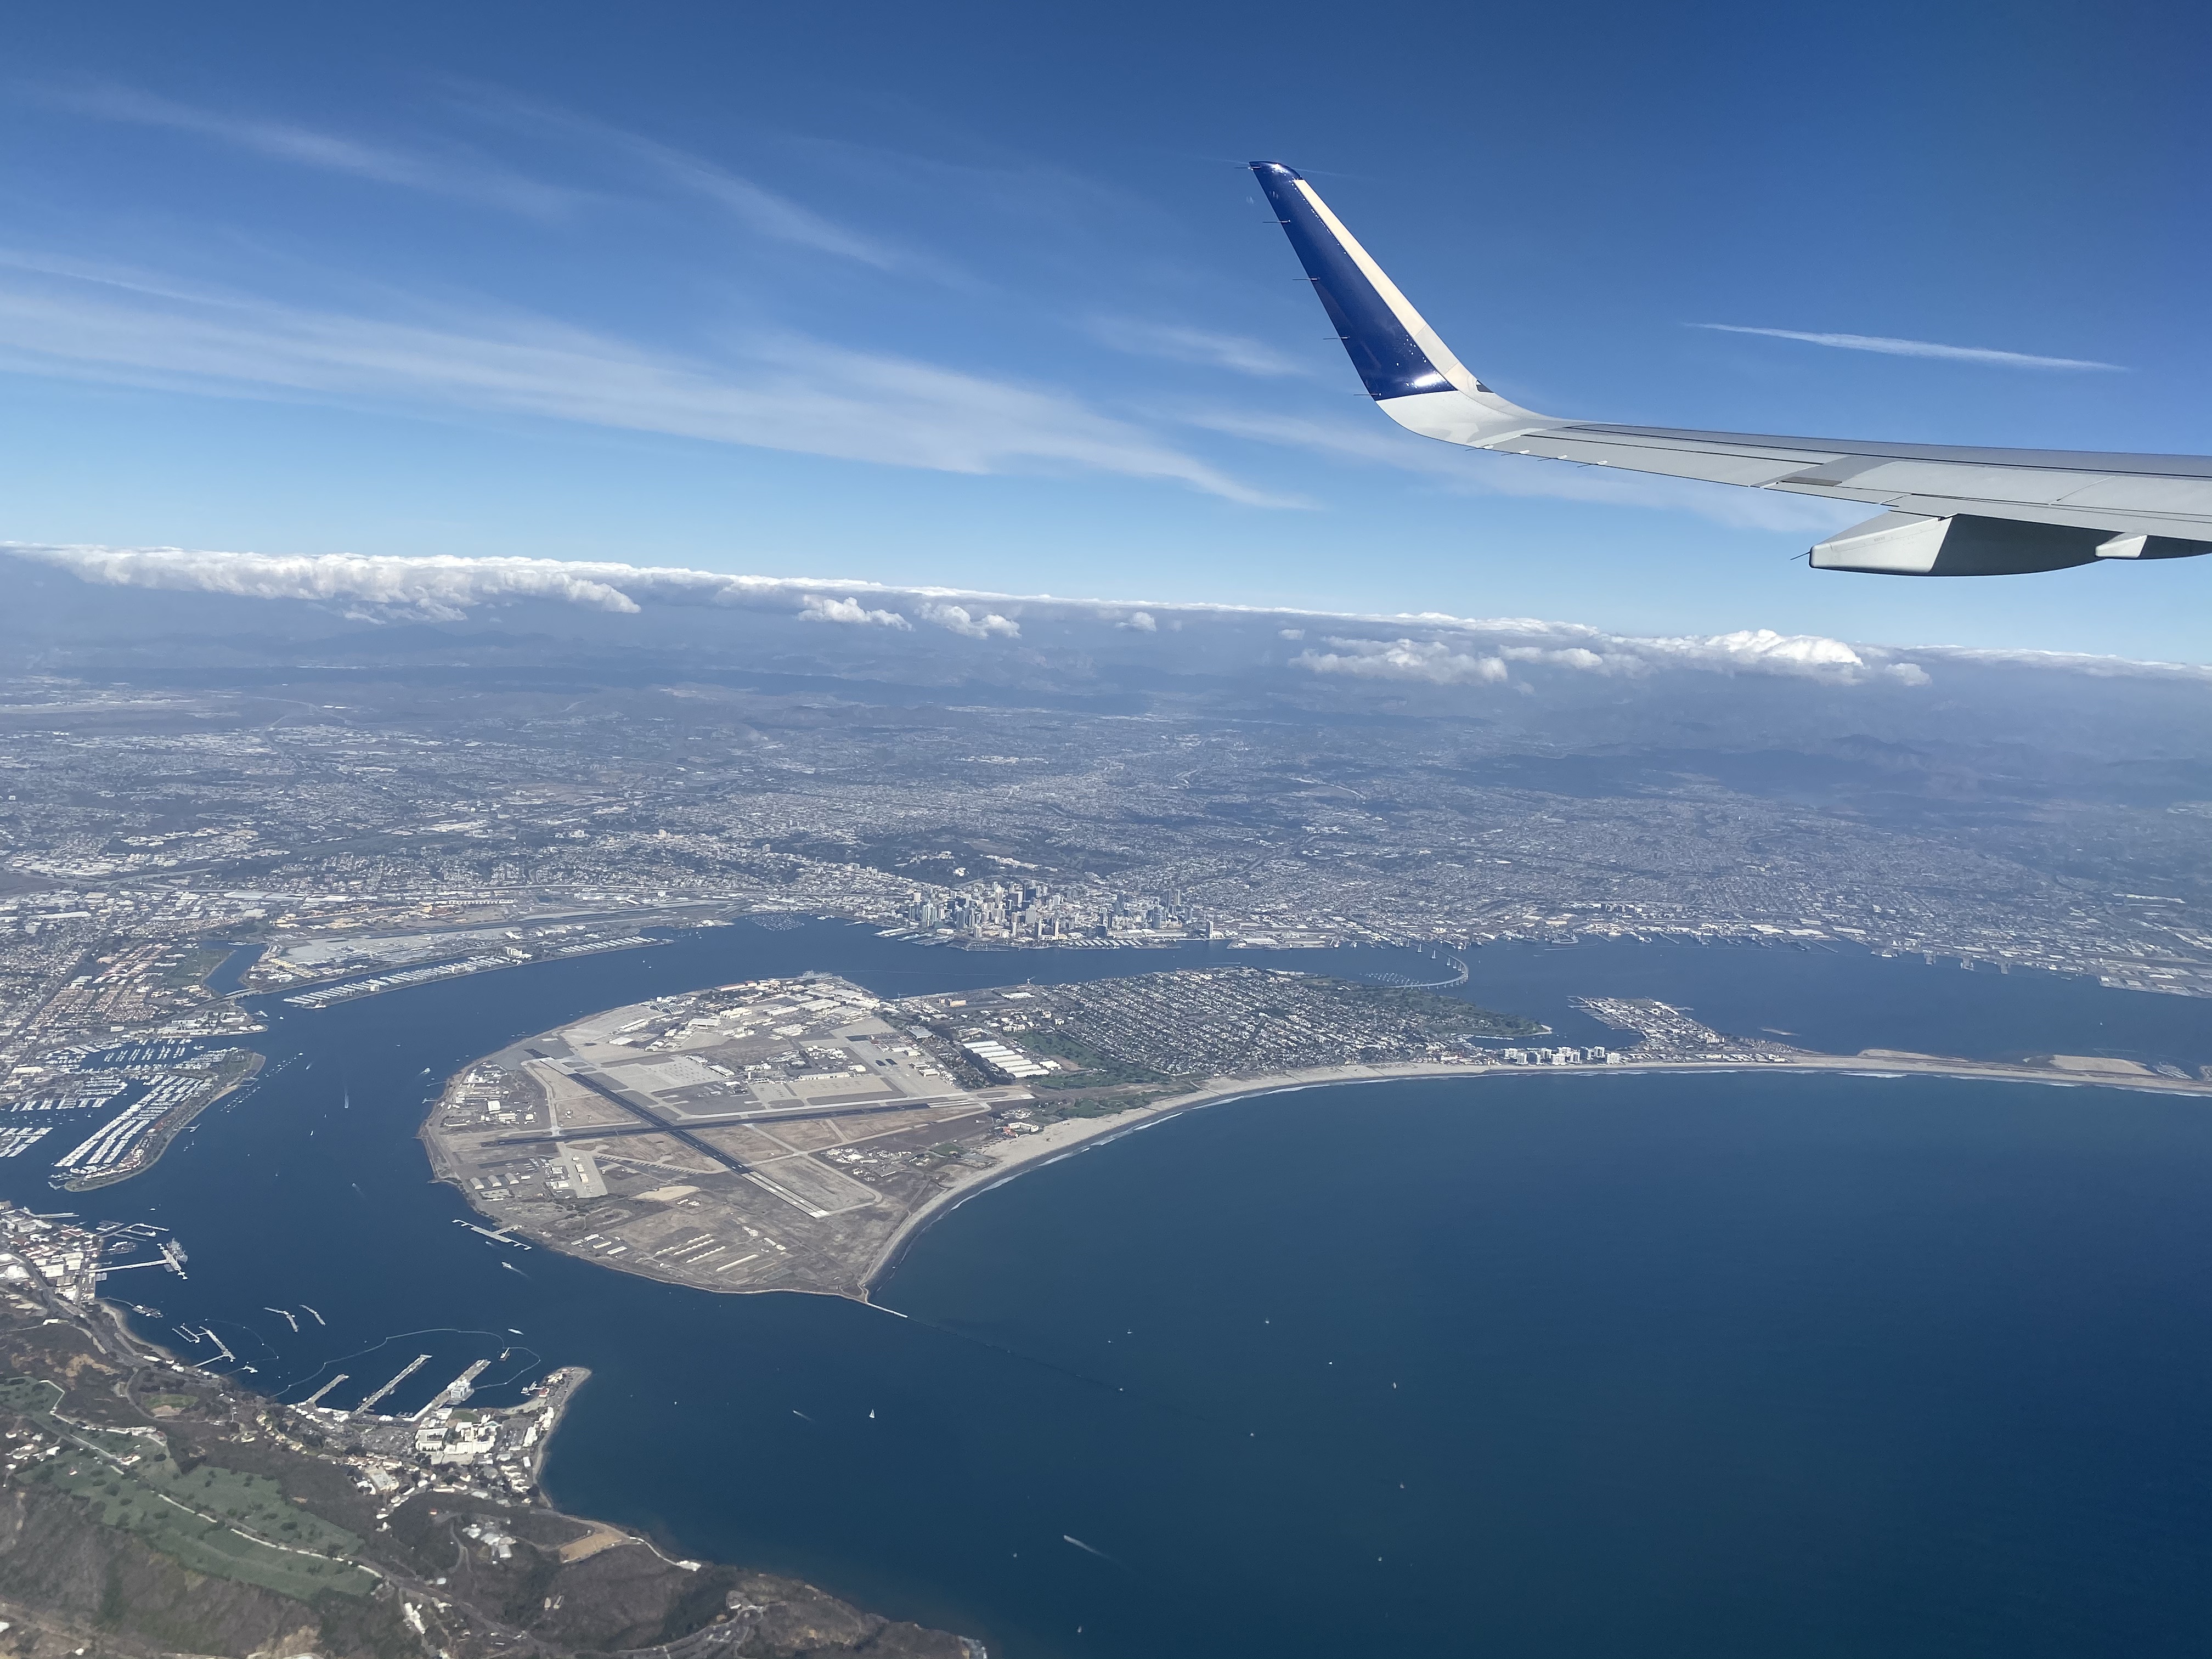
1423 651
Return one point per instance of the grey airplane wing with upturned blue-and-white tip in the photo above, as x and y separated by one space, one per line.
1952 512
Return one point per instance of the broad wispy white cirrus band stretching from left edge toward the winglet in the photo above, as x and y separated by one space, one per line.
775 393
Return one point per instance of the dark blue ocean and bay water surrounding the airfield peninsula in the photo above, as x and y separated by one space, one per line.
1512 1366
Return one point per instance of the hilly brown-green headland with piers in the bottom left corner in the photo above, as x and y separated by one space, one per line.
152 1507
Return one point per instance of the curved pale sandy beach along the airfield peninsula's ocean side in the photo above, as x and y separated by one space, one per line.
1076 1134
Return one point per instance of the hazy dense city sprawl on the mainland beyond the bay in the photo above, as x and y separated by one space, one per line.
147 833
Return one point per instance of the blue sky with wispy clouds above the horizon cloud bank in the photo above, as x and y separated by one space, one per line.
979 295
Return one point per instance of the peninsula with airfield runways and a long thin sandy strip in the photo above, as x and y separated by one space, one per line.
797 1134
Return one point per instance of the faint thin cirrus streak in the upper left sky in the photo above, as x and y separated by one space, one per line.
450 171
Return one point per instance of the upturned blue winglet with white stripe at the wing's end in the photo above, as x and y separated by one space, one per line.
1388 342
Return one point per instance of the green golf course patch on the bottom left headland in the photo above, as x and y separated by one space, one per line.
198 1519
